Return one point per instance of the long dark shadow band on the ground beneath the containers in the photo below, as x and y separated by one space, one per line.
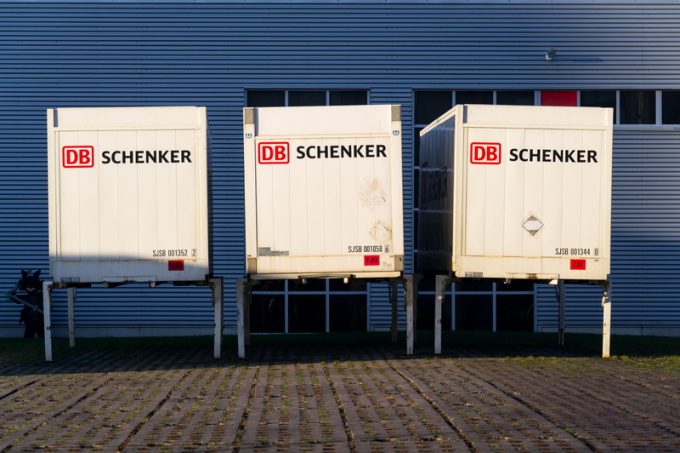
20 357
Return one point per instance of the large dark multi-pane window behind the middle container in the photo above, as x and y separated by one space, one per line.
284 306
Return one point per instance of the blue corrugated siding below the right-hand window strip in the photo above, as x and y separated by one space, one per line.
645 240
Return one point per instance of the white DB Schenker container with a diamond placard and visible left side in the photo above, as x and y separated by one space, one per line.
514 192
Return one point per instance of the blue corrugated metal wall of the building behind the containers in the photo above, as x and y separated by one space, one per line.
209 53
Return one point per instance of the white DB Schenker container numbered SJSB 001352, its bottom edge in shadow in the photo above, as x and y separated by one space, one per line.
128 194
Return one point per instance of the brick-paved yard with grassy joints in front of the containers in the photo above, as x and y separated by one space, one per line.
157 397
